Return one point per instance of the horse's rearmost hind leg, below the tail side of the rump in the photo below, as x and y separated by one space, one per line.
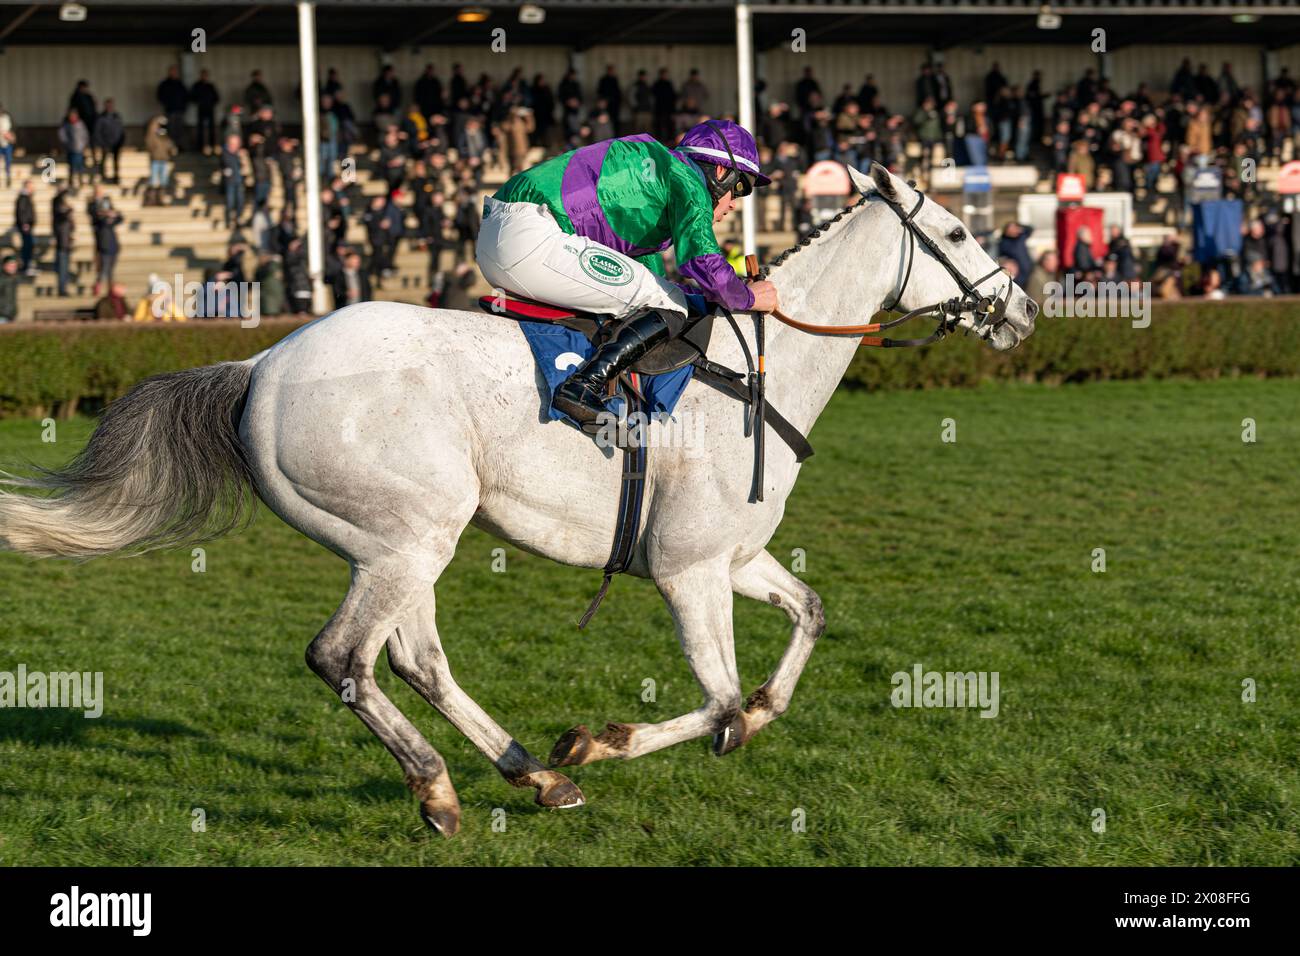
344 656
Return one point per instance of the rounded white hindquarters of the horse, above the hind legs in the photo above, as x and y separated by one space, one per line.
356 435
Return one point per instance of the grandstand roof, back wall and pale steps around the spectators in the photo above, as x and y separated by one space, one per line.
124 50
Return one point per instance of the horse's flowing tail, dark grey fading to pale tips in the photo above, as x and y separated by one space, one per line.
164 468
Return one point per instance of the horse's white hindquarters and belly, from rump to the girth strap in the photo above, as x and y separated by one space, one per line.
385 429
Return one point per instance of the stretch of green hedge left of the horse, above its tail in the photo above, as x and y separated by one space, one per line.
55 370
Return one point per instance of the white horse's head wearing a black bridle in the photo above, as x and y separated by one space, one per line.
930 280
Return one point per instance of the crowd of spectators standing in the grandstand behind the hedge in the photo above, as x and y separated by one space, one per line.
432 140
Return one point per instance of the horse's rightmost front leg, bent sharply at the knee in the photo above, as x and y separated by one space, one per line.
765 579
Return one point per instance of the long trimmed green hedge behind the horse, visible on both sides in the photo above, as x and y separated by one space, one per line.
55 370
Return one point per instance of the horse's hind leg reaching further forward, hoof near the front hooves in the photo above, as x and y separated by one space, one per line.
415 655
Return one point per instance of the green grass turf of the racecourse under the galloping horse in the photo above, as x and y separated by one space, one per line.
1121 691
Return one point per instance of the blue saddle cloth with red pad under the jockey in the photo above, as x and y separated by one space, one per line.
558 351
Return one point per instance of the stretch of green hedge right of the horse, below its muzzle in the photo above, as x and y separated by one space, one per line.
1185 339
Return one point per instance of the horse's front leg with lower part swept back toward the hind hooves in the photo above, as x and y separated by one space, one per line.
701 604
